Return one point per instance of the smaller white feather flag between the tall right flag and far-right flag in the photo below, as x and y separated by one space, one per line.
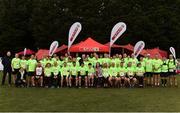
138 48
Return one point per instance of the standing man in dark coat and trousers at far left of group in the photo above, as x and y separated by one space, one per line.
6 61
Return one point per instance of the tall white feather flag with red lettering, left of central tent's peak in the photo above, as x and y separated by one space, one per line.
73 33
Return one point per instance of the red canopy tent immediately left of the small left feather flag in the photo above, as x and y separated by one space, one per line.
42 53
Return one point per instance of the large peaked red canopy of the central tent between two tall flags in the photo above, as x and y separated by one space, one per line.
89 45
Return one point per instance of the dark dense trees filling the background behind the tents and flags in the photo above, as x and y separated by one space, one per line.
36 23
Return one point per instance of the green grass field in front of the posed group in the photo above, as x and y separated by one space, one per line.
92 100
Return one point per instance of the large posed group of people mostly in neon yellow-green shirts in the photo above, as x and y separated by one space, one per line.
94 71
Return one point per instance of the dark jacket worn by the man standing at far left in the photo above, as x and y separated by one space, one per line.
6 61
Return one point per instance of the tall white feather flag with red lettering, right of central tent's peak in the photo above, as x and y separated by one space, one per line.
117 31
